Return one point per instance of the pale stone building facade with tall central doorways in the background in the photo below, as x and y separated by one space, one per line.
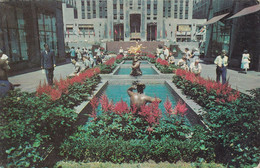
128 20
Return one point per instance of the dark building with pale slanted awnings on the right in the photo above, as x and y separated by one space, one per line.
233 25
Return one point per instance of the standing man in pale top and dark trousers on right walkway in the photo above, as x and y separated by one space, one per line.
222 62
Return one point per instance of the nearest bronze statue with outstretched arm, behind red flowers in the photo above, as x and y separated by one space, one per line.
139 98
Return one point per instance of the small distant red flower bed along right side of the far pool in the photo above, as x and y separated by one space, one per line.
164 67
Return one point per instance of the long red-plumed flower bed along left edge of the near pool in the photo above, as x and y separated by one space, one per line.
30 124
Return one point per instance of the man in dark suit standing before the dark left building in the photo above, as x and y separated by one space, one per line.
48 63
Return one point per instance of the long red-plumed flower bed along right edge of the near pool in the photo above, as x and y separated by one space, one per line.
231 116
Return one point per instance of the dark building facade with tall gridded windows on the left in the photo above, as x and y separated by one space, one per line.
25 26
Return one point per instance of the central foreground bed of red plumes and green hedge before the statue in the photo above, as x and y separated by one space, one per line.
121 134
